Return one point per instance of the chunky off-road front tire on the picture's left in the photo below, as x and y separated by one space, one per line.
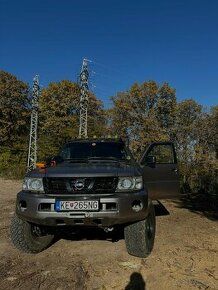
24 239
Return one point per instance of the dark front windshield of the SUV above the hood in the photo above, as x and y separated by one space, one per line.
101 150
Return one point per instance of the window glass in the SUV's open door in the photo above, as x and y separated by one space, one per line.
163 153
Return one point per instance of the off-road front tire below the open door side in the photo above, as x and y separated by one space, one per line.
139 236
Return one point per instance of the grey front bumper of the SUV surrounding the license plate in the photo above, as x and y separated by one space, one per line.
114 209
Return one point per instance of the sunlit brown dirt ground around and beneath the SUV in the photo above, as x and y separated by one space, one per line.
185 255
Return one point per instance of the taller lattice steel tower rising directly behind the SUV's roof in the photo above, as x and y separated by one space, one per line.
84 89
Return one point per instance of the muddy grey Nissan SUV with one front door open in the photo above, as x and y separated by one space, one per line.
95 183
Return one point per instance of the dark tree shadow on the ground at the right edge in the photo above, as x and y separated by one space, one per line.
202 204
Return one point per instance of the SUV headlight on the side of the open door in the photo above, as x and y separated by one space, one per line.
130 183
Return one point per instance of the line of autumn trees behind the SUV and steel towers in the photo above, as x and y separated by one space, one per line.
145 113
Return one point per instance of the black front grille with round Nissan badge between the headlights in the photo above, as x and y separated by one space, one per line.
56 185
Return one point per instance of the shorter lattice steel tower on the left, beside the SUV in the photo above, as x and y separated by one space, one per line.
32 154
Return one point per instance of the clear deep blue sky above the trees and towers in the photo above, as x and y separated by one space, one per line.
125 41
